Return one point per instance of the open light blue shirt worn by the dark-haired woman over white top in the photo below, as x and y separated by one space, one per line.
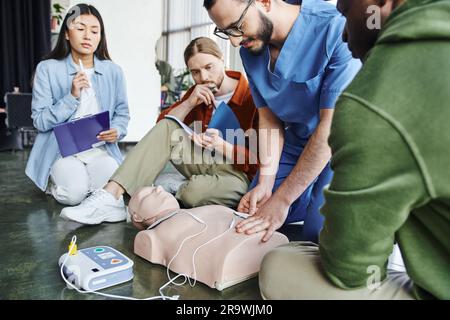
54 104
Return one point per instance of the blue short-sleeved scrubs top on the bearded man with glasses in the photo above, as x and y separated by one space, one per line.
312 70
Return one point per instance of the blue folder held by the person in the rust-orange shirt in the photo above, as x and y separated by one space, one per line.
223 119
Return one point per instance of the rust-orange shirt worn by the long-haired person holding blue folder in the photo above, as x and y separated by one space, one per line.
241 103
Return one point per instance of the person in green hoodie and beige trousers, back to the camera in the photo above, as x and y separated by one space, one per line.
390 140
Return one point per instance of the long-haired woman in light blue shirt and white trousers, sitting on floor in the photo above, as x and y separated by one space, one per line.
76 79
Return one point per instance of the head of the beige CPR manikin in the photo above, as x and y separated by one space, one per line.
149 204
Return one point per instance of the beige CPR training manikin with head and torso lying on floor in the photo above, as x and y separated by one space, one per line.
201 242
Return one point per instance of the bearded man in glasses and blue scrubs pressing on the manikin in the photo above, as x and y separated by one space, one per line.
297 65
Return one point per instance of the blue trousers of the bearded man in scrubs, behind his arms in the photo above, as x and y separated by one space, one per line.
307 207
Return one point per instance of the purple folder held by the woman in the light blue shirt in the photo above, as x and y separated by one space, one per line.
81 135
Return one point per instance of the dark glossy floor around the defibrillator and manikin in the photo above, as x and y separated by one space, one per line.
33 237
